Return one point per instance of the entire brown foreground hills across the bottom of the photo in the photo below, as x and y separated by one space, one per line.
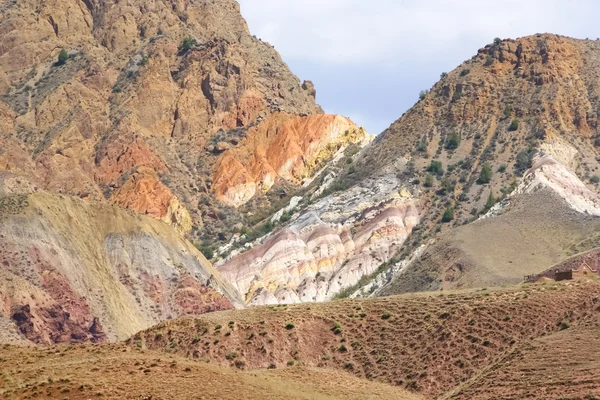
509 343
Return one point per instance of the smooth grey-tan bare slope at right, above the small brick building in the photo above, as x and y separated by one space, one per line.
532 233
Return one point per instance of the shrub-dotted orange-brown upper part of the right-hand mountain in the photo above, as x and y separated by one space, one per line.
511 100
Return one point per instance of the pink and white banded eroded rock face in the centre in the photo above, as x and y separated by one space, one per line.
328 248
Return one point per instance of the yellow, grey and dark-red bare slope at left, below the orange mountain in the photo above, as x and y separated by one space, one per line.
75 270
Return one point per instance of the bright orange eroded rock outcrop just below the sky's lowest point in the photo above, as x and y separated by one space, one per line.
282 146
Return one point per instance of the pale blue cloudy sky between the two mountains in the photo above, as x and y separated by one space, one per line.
369 59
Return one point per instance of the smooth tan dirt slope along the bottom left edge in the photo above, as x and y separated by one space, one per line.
117 372
